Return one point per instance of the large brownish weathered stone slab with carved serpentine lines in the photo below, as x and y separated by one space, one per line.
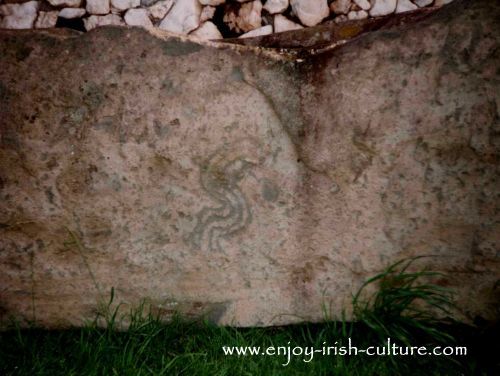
243 184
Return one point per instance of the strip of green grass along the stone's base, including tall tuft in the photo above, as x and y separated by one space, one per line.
150 347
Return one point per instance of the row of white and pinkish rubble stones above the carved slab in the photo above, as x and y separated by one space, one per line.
205 19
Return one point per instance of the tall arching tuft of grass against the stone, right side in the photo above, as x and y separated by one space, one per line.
407 307
